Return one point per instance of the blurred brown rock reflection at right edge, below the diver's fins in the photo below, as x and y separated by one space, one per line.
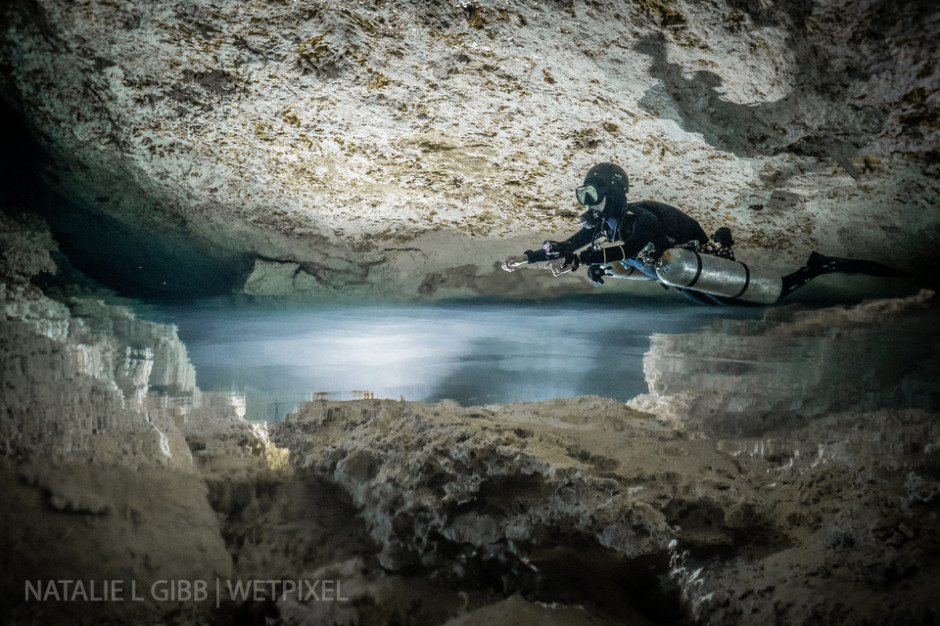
740 379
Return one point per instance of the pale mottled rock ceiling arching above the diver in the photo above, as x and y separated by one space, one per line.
397 150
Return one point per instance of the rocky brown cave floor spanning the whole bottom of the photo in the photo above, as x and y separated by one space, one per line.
560 512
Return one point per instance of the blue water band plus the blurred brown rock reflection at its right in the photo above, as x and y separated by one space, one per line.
483 352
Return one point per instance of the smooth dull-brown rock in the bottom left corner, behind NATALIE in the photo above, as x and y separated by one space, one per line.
142 529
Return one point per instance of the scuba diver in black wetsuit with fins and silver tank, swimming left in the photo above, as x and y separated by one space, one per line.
655 241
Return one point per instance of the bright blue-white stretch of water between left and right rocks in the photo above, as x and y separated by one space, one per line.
476 353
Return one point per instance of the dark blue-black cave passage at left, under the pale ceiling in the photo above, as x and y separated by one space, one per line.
136 260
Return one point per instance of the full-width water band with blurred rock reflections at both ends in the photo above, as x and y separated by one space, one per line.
725 373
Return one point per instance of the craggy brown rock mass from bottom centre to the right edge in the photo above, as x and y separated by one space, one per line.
588 502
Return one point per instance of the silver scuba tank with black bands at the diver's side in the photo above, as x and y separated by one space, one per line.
688 269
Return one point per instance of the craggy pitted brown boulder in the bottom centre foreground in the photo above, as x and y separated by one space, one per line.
498 483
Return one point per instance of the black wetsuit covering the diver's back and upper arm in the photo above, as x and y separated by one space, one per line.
635 224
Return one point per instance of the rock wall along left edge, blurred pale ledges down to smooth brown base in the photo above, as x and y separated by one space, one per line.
99 481
